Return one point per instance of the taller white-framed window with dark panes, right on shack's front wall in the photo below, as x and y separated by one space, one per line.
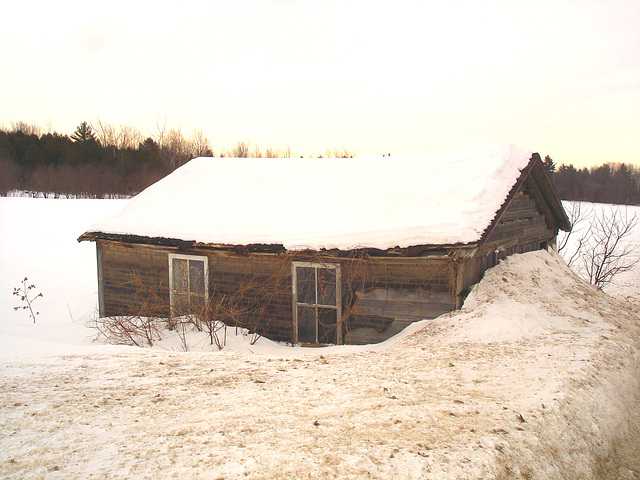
317 302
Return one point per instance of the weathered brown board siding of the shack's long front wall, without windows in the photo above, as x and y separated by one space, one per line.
381 296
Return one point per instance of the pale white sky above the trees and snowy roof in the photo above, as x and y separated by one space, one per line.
557 77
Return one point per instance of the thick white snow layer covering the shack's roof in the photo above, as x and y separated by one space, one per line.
345 203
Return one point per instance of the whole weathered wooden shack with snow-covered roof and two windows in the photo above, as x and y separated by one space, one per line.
323 251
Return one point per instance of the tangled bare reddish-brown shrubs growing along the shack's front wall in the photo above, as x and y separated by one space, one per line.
254 299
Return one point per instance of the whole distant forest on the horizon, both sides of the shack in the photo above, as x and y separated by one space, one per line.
101 160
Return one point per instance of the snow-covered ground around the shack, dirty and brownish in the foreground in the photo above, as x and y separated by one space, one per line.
537 377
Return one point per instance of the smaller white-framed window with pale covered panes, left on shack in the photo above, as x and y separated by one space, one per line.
188 284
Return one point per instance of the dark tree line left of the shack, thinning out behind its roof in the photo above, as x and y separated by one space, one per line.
100 159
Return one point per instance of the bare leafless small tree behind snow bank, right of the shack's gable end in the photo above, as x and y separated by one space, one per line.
604 247
